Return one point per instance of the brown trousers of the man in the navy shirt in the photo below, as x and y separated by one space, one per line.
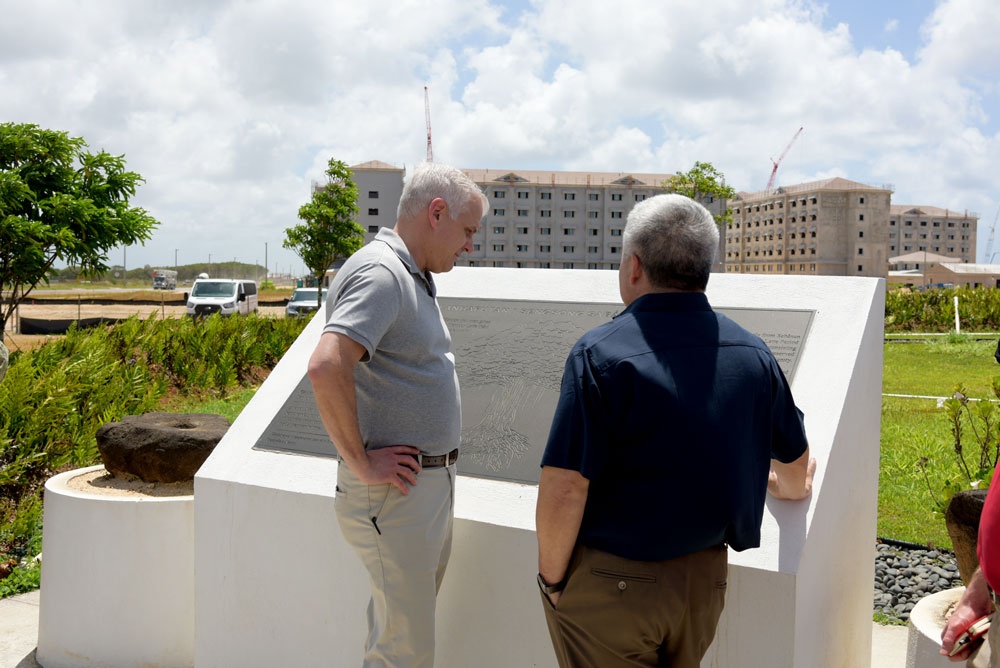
616 612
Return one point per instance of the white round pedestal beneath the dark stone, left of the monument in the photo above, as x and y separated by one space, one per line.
117 573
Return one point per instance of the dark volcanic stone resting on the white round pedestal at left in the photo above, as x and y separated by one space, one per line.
160 447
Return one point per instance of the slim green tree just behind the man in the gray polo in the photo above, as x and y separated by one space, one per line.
330 232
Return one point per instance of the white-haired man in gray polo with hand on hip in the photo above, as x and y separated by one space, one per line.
386 388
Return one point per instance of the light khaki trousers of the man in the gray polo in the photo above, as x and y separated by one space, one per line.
404 543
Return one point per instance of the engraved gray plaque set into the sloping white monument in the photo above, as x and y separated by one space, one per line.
510 357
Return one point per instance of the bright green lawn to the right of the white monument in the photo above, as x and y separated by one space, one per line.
916 428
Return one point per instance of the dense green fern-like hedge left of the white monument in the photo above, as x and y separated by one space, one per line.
54 399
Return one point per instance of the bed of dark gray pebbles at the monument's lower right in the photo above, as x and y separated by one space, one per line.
906 573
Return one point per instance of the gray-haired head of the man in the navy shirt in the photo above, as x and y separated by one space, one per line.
676 238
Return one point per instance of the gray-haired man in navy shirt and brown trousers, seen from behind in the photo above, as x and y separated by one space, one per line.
672 425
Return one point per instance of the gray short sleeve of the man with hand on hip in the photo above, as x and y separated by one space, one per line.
365 307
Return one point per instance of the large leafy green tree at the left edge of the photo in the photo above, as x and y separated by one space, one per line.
59 201
